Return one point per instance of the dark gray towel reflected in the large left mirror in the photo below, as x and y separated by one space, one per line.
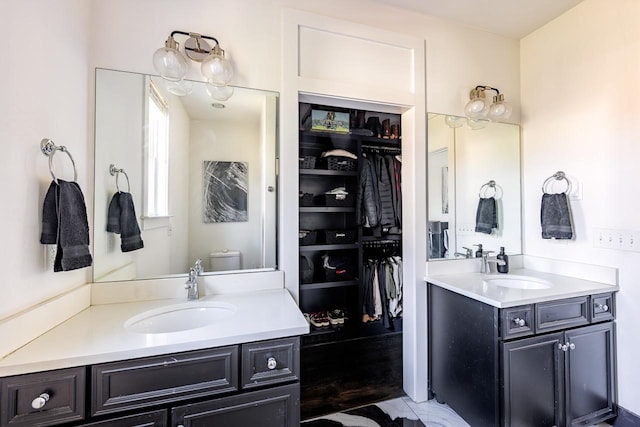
121 219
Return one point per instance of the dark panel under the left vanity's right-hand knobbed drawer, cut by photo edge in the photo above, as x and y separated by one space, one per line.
275 407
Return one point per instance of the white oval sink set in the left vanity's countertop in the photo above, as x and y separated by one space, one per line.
180 317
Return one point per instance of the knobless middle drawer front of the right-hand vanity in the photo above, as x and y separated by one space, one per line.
562 314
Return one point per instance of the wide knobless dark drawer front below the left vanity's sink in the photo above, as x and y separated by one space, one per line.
154 380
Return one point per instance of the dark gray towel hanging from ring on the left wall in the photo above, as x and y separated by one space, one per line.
64 215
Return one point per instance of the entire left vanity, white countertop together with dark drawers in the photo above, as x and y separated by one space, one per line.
96 369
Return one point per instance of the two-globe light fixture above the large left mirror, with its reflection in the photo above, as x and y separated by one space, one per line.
173 65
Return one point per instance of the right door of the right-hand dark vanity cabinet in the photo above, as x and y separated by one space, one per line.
591 374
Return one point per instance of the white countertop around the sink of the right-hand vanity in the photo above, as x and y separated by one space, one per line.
473 285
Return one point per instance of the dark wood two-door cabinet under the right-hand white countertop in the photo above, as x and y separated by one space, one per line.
544 364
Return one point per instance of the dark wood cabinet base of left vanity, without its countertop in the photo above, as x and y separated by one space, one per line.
255 383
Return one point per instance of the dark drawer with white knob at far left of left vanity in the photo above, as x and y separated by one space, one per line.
61 394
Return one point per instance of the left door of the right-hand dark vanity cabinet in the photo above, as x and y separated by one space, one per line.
532 379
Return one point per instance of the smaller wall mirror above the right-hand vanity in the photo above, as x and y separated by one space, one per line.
467 161
